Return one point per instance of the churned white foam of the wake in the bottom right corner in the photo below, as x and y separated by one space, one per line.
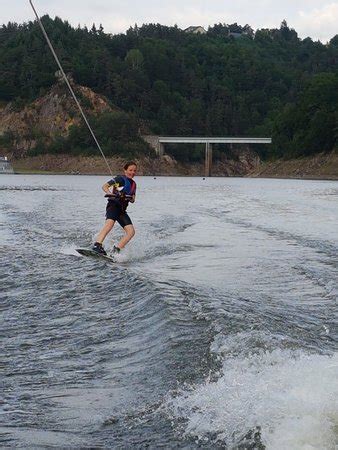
290 396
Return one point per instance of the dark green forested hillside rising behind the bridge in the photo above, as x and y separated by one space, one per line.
267 83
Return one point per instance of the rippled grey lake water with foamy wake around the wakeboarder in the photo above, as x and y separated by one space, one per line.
216 329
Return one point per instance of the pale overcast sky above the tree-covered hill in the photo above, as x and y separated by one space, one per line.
315 18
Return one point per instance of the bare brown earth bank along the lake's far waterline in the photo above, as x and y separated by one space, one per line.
318 167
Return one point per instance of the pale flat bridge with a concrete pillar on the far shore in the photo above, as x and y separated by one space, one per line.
158 144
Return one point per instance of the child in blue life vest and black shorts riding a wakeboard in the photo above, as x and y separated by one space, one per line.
120 191
